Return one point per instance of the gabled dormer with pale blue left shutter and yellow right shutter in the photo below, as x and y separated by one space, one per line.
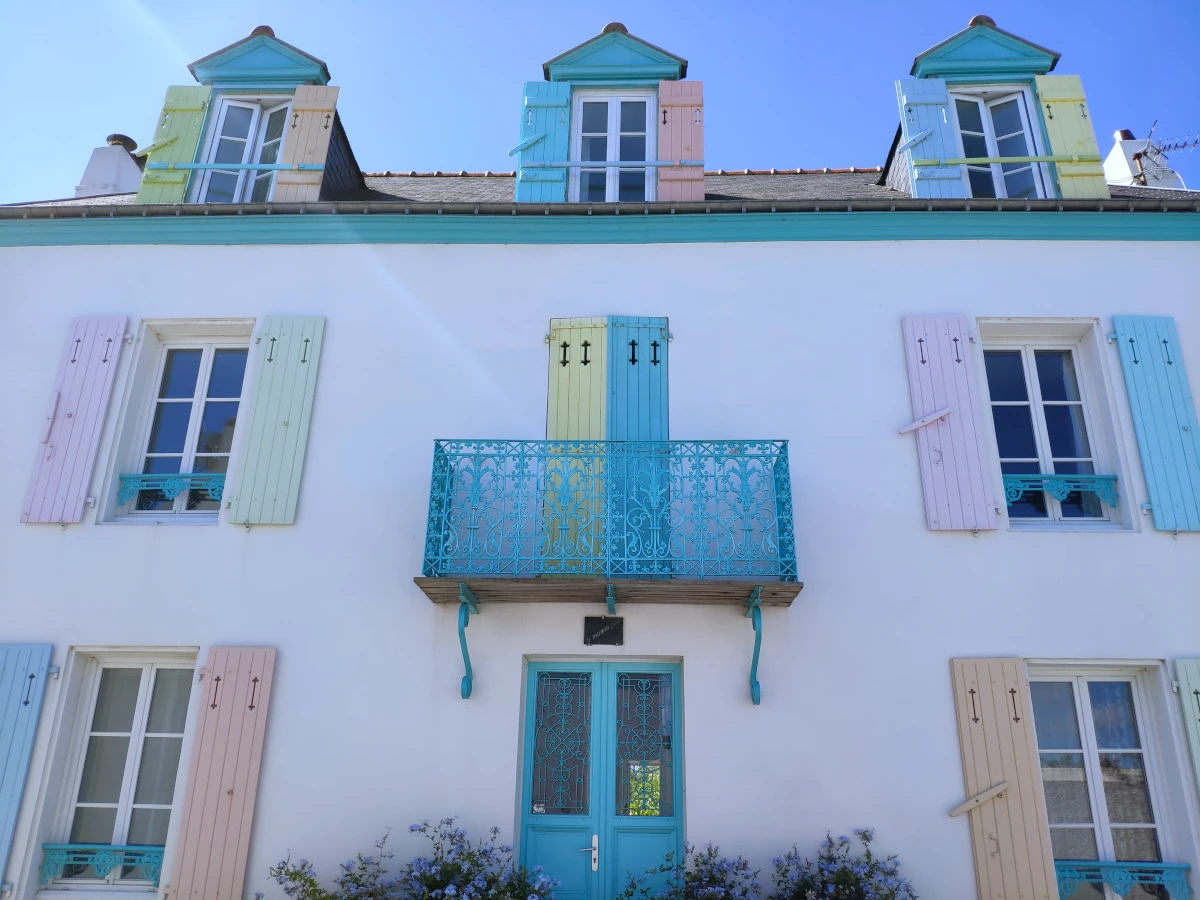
981 117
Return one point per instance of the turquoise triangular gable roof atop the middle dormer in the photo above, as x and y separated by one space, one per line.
615 56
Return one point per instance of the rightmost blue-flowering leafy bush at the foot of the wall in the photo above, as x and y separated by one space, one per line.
837 875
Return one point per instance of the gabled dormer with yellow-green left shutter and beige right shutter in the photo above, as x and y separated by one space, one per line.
262 127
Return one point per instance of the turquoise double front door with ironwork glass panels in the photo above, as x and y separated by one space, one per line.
603 787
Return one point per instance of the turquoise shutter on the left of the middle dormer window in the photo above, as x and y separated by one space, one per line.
545 137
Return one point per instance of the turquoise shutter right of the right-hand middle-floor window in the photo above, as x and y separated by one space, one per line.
1165 417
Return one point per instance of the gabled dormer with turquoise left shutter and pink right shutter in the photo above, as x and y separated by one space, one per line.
613 122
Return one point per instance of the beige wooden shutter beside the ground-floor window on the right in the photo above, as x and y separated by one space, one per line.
1010 833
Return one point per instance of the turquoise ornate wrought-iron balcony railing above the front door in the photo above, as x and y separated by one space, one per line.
620 509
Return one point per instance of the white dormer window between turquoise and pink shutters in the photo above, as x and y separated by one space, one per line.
613 128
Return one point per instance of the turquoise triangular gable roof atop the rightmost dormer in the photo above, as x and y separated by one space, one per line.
983 52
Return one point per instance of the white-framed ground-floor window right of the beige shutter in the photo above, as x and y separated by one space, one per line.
1099 784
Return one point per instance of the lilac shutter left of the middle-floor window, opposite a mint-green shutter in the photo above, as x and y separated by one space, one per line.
75 419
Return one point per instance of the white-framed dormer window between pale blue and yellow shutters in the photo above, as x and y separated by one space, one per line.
998 125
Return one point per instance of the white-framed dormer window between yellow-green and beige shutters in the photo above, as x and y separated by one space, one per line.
245 133
